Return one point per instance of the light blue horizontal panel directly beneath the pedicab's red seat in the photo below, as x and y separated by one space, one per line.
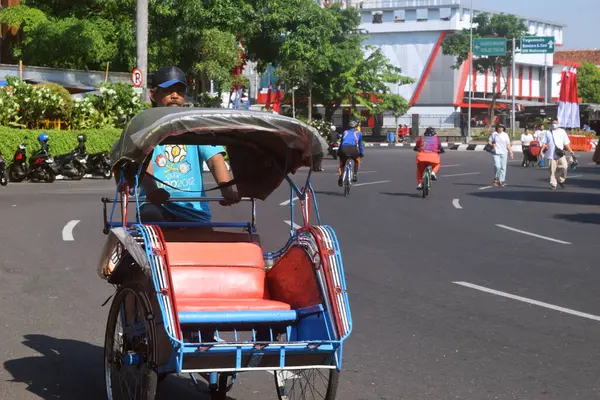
238 317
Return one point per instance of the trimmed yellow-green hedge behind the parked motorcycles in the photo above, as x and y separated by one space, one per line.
61 142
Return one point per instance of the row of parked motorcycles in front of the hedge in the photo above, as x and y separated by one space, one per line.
43 167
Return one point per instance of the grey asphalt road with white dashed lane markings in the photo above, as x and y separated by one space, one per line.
446 303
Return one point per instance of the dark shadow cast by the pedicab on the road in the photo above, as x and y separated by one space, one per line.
73 370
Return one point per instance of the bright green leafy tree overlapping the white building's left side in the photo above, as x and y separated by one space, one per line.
337 70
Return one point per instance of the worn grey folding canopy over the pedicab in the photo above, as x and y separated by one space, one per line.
262 147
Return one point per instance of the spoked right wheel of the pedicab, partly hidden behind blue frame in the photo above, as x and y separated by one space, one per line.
315 383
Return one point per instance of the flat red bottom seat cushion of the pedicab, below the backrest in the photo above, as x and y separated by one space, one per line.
192 304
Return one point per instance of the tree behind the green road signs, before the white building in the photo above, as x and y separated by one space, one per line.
498 25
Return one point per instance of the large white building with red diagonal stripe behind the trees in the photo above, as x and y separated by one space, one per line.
410 33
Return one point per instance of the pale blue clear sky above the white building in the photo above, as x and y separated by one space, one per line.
580 16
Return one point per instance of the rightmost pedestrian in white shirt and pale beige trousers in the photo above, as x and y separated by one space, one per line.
556 141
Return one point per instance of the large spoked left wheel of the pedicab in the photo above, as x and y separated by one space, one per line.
129 347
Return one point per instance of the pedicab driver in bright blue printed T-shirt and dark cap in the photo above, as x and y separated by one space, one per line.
180 166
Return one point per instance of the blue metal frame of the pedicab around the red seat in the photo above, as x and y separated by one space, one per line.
307 330
